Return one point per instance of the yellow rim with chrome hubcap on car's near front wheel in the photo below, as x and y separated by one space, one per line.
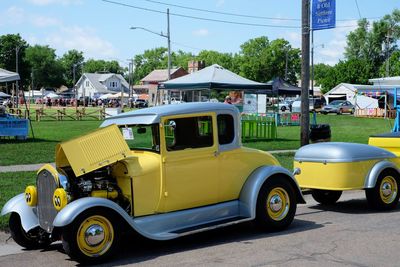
95 236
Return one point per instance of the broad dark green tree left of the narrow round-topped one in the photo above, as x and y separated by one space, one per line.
46 70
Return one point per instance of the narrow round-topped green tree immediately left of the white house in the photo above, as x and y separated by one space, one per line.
68 61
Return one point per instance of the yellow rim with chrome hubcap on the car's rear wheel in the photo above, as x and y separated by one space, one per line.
278 204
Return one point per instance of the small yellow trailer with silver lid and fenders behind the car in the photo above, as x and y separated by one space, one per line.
330 168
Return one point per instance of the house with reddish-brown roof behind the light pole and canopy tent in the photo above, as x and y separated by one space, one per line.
151 81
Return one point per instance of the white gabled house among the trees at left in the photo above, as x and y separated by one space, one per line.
94 85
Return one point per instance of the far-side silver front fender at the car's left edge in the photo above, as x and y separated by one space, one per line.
29 219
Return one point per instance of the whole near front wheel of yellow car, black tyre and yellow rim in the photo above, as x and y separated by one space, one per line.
92 237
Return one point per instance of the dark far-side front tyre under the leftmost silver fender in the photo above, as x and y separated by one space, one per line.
34 239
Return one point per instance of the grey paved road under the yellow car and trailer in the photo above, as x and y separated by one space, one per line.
347 234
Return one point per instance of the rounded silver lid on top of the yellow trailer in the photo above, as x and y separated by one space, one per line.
335 152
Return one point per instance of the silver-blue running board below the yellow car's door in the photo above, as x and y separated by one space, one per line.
174 224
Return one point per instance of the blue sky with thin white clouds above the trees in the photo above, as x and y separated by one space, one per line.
101 29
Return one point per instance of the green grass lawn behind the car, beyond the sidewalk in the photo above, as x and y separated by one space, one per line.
49 133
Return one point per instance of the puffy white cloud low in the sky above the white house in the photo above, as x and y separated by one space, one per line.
81 39
